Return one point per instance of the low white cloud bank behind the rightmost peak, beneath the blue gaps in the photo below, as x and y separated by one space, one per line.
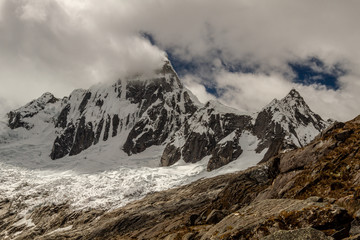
251 92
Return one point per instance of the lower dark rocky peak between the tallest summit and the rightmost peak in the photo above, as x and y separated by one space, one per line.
215 126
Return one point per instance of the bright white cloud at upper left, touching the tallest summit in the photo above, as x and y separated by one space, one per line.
57 46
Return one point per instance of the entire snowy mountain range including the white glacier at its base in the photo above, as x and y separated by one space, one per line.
108 142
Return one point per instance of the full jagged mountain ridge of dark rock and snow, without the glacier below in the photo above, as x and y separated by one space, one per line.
145 111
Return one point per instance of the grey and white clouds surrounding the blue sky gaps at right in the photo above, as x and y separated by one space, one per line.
265 36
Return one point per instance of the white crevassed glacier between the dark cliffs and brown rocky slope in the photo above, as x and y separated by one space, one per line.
104 177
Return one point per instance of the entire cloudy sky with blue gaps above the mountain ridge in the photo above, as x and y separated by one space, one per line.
242 52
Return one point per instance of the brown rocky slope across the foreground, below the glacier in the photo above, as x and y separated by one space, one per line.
309 193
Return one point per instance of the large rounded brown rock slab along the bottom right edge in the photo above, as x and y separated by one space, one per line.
262 218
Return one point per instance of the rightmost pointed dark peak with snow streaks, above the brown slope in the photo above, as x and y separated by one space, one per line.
286 124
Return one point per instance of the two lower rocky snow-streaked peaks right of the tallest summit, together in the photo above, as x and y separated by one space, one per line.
217 130
